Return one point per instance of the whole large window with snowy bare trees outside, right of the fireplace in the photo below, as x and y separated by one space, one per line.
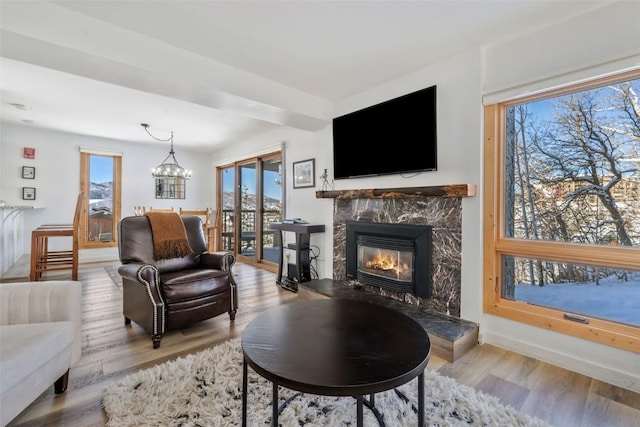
562 210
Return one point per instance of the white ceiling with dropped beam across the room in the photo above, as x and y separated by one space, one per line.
214 72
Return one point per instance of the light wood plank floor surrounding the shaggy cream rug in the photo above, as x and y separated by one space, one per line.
111 351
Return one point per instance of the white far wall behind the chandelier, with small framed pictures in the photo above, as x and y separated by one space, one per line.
57 179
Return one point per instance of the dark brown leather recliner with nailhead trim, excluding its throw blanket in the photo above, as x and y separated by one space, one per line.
168 294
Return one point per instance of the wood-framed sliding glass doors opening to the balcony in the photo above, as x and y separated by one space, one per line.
250 194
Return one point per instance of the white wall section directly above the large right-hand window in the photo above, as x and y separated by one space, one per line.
601 41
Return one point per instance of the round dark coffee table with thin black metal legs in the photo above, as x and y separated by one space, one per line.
335 347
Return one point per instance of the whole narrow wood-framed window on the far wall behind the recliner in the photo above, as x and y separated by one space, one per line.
100 180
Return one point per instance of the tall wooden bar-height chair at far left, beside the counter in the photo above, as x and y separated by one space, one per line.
44 260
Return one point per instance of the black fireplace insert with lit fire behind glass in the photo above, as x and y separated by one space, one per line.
395 257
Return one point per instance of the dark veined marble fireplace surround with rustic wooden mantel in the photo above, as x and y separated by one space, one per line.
437 206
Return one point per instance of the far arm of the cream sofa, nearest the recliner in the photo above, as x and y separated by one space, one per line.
42 302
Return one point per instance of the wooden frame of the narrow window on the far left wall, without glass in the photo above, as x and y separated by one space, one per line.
85 186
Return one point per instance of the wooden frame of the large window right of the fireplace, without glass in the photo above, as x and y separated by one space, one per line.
496 245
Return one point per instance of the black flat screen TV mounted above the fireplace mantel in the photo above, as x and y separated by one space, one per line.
394 137
